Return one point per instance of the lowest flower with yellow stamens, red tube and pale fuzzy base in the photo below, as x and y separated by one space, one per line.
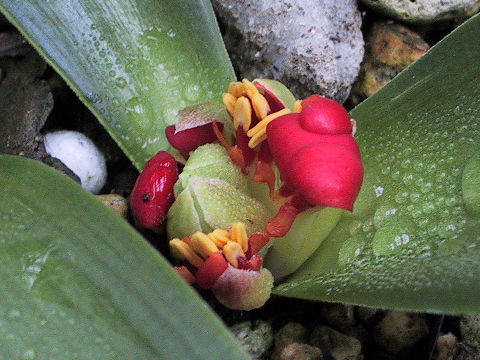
223 262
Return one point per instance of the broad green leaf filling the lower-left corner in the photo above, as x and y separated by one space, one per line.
79 283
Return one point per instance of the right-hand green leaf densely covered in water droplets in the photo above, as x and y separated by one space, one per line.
414 241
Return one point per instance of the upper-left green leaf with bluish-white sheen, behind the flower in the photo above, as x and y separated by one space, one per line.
133 63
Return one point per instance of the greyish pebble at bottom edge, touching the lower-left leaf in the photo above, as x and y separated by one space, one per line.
255 337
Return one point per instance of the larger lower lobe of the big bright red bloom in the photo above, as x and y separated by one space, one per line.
327 174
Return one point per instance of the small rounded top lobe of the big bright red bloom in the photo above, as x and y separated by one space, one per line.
324 116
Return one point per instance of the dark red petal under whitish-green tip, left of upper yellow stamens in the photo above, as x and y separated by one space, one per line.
190 139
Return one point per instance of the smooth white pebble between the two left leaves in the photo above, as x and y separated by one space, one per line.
80 155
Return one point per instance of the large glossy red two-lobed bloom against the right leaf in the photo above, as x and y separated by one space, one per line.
316 153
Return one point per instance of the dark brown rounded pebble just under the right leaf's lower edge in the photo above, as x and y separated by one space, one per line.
400 330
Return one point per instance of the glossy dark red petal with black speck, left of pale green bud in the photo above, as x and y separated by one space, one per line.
152 194
